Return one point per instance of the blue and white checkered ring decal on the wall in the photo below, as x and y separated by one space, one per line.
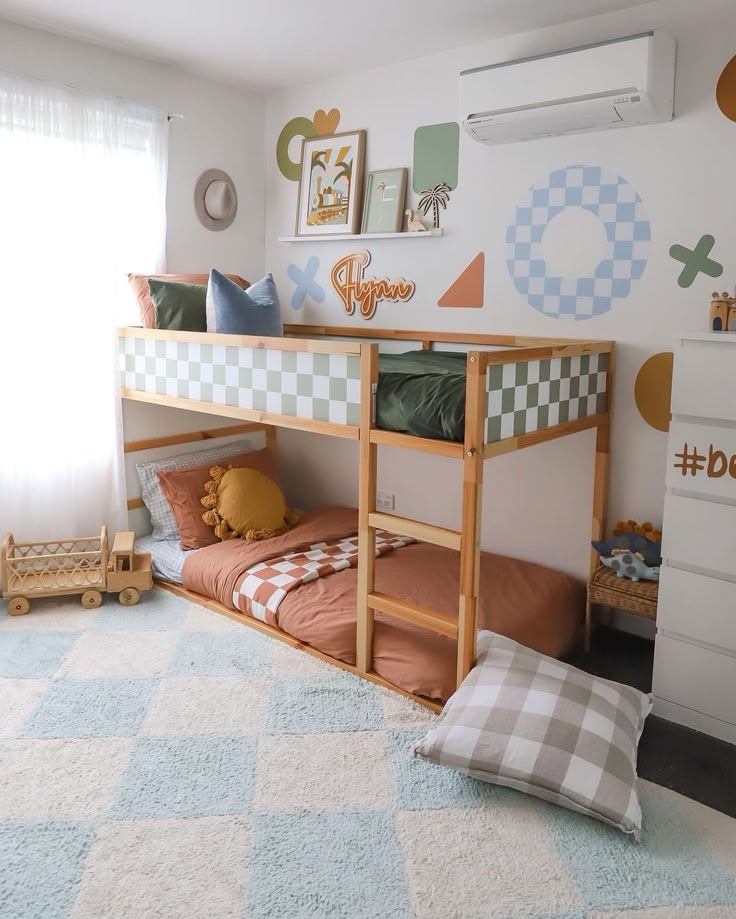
628 234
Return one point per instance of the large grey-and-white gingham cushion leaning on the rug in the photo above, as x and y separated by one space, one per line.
535 724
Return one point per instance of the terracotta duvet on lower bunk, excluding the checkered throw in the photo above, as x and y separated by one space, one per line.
529 603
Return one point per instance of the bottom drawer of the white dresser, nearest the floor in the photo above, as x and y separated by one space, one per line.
696 678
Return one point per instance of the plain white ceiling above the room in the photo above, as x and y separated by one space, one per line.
272 43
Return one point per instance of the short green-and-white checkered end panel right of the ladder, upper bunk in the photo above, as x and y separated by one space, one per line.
533 395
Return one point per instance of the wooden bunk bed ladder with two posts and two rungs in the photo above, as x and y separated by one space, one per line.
466 541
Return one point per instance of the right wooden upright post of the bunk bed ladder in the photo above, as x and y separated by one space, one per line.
475 413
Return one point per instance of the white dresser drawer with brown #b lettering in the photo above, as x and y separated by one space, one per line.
702 458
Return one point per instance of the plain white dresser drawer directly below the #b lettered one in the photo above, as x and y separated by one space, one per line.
699 534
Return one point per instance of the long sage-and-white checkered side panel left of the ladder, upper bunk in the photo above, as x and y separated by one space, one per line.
300 384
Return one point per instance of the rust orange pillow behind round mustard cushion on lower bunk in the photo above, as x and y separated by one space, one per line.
183 489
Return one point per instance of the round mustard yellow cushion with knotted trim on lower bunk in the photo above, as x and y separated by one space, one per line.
245 502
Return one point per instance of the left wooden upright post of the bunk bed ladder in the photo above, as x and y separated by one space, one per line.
367 473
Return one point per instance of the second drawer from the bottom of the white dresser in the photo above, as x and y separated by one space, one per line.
698 607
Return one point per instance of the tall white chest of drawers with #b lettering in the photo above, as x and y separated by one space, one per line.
695 649
